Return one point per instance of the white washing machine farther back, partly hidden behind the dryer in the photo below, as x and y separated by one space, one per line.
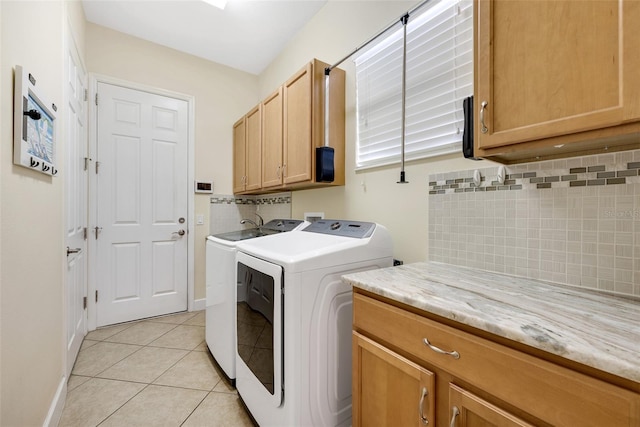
220 276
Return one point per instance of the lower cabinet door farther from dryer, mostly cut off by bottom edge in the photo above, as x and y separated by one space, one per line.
468 410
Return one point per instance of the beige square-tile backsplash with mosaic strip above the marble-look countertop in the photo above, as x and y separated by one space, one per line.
574 221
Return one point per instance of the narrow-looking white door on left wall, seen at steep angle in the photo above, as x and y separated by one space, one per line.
75 203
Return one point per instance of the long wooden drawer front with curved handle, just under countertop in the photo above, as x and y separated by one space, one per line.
549 392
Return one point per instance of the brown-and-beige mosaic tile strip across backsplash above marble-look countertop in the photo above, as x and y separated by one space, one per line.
538 180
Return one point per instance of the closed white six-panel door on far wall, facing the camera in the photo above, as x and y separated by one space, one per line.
141 257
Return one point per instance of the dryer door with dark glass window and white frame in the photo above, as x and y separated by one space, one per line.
259 370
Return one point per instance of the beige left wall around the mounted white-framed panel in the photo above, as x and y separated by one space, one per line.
32 267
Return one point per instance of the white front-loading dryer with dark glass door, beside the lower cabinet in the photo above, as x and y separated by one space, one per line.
294 320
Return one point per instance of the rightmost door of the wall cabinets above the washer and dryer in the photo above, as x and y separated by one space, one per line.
298 143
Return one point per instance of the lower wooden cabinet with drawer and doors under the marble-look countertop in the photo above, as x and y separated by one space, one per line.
409 369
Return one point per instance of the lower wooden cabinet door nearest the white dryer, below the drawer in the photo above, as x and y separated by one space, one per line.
389 390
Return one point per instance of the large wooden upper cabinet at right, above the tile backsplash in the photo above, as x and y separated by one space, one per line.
556 78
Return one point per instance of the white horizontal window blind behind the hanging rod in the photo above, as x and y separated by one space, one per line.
439 75
